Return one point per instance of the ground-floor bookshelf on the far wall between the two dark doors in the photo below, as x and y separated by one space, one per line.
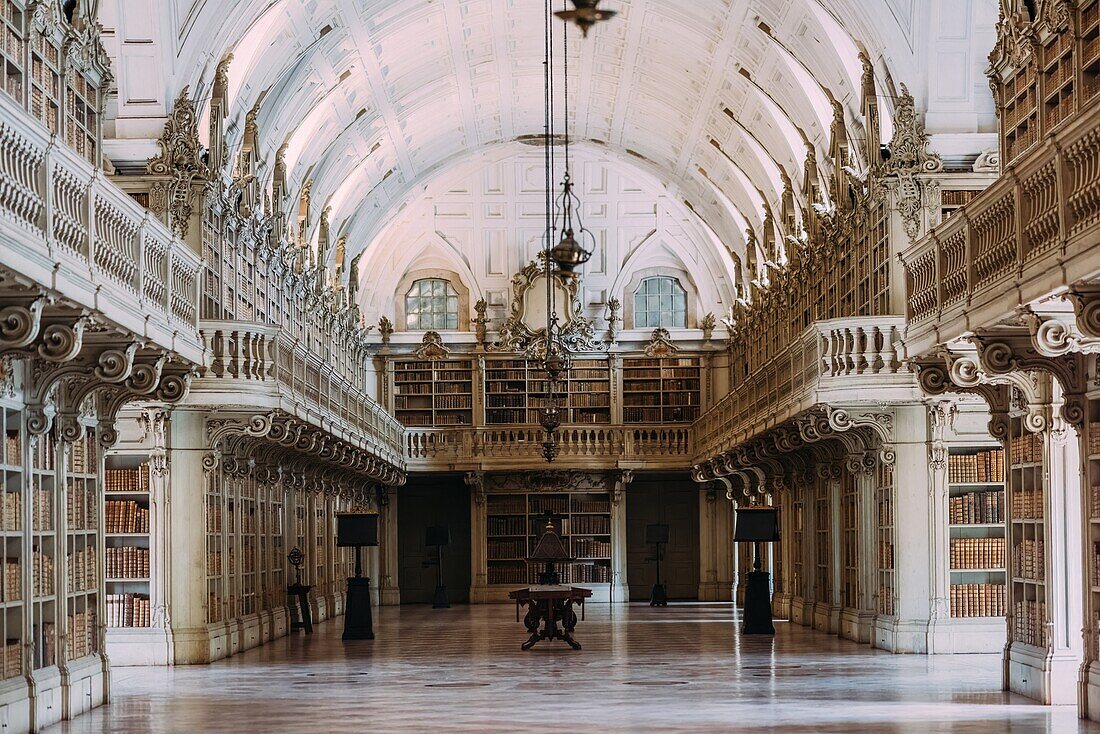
513 529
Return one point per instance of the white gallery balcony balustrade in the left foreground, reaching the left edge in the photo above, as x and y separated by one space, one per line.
72 235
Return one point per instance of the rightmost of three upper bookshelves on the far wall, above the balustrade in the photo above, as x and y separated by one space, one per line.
662 390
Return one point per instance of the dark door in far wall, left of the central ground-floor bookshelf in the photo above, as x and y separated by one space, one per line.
422 503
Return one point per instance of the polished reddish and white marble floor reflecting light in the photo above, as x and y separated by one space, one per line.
677 670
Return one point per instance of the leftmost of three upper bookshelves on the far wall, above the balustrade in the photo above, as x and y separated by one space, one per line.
436 393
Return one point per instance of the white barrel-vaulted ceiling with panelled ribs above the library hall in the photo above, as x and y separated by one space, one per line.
376 98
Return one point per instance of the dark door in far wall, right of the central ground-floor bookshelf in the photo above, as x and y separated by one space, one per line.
674 503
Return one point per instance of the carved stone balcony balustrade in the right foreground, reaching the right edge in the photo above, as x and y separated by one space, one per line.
1030 235
